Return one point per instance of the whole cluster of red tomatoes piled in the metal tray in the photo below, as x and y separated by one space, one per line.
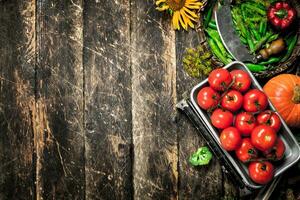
247 128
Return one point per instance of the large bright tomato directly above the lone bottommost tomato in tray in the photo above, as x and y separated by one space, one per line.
263 137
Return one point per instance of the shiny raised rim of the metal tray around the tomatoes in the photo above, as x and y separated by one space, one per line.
234 162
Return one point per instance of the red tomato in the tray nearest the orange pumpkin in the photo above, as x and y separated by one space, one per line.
255 100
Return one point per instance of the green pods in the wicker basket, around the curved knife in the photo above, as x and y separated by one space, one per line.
250 21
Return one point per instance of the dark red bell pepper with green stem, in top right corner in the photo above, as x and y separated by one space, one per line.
281 15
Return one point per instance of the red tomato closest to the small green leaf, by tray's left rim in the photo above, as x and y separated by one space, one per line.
230 138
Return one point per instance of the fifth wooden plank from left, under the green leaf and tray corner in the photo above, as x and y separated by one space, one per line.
195 183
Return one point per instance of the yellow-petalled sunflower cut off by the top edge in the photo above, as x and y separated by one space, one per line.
182 11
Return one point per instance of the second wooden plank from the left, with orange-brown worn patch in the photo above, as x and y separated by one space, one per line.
60 138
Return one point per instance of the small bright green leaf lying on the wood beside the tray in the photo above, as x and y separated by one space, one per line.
201 157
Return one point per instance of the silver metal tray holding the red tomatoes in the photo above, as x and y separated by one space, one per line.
292 153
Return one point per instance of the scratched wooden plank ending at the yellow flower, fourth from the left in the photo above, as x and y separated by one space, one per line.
153 103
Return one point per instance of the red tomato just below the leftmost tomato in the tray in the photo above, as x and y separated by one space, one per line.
221 118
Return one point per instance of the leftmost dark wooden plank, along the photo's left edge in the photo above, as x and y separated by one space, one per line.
17 69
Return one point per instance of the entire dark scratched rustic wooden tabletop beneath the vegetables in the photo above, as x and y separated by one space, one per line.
87 96
